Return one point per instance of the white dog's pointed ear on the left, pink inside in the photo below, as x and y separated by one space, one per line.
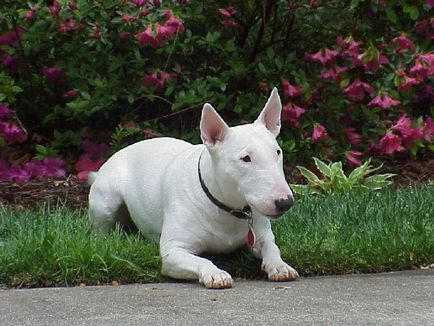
212 126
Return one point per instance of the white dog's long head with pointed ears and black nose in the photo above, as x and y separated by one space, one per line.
250 157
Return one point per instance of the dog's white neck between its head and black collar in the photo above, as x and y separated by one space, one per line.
223 188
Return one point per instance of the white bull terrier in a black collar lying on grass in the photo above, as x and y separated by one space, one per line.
212 198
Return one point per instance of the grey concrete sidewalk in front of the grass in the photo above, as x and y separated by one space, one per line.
400 298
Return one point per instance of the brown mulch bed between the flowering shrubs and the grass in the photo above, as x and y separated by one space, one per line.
72 192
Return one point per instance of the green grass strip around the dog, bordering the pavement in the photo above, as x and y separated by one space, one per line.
350 233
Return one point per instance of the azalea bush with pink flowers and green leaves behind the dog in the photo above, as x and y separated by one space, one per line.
356 77
